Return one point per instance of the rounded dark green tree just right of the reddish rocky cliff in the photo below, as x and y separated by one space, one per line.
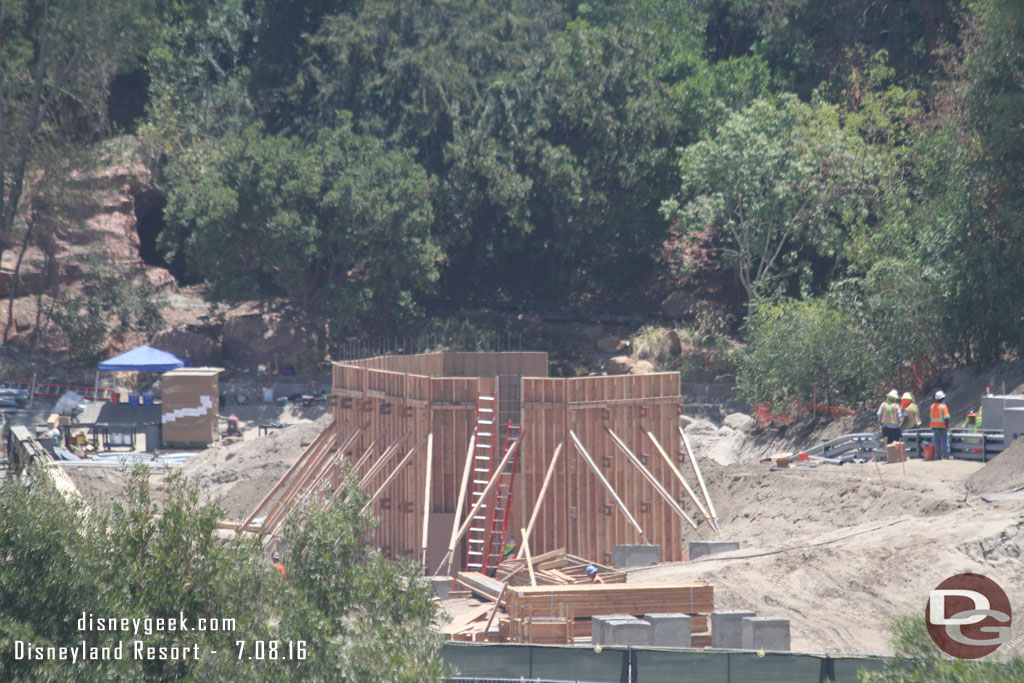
340 225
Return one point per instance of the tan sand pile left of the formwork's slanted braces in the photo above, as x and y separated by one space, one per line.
240 475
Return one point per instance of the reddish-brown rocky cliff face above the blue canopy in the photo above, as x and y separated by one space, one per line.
95 215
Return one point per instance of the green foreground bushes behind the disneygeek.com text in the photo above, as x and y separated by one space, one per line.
362 618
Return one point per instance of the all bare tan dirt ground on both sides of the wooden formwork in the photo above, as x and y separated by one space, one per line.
828 548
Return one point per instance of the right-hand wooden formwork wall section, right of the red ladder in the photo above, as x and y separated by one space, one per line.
578 513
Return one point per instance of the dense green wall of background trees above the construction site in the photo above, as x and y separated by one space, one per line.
359 158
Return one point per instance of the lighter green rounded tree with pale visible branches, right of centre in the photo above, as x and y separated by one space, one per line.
781 185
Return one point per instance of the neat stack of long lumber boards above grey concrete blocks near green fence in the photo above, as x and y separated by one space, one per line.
584 602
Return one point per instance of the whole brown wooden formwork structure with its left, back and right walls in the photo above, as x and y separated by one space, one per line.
578 513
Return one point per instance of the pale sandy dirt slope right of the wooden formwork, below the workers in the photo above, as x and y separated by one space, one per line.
840 556
